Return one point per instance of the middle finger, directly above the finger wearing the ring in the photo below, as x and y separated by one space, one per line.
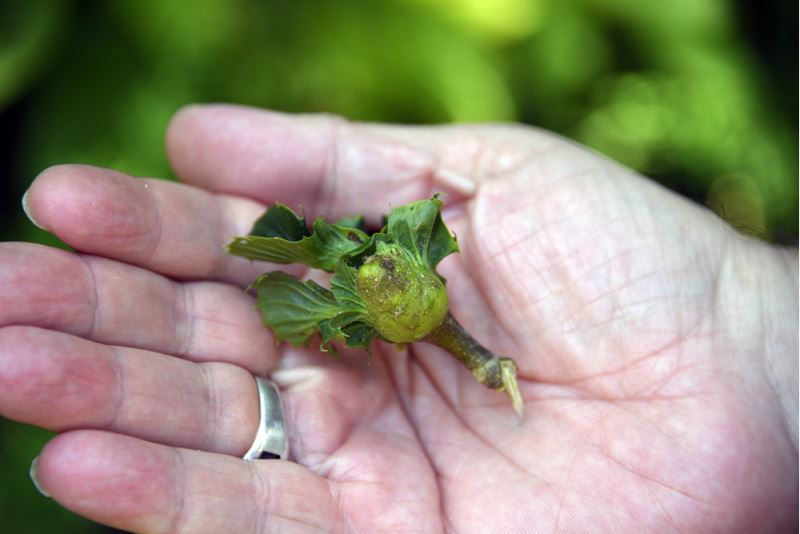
111 302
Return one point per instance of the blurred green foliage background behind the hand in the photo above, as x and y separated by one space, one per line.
700 95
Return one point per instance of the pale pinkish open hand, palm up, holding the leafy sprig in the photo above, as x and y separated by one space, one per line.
657 348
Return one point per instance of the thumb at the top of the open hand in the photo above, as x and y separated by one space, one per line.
329 166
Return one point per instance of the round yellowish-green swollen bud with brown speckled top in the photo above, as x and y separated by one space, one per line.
405 301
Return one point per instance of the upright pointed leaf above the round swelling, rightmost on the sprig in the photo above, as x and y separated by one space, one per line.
418 227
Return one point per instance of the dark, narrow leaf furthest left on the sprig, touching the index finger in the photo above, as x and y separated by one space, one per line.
280 236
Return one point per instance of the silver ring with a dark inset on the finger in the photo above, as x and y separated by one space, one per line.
272 439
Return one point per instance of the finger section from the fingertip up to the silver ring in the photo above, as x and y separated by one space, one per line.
61 382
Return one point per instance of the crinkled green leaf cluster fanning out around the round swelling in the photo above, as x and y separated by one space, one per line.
296 310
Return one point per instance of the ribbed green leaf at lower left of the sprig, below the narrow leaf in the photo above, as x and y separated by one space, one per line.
292 308
